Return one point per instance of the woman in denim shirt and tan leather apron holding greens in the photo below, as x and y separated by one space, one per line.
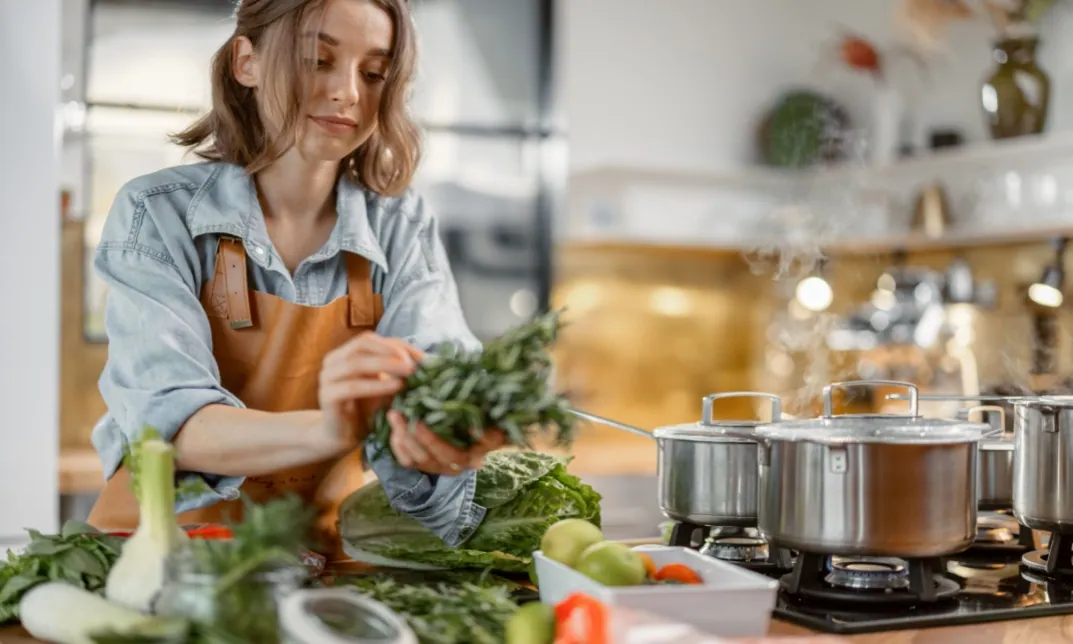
263 304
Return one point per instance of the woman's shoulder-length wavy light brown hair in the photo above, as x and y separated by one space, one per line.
233 130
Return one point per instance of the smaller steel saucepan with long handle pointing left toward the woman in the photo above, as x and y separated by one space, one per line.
708 472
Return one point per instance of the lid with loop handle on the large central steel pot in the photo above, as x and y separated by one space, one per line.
909 429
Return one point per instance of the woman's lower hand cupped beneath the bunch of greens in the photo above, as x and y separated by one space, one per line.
424 451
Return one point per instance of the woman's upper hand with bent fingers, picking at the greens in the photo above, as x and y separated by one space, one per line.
358 379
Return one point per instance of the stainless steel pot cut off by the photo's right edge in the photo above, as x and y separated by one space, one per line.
1043 464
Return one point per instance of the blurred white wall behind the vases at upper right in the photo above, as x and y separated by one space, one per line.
684 83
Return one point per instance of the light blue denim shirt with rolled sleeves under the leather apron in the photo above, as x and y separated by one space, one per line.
158 247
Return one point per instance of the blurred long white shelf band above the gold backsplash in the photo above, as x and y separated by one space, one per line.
1013 192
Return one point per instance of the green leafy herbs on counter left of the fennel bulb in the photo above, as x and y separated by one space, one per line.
80 555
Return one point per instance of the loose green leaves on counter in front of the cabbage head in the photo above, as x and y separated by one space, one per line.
444 612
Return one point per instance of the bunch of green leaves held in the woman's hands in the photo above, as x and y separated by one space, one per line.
507 386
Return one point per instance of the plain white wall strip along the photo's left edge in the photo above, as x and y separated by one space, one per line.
30 266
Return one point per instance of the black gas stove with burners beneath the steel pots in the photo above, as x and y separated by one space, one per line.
1002 577
